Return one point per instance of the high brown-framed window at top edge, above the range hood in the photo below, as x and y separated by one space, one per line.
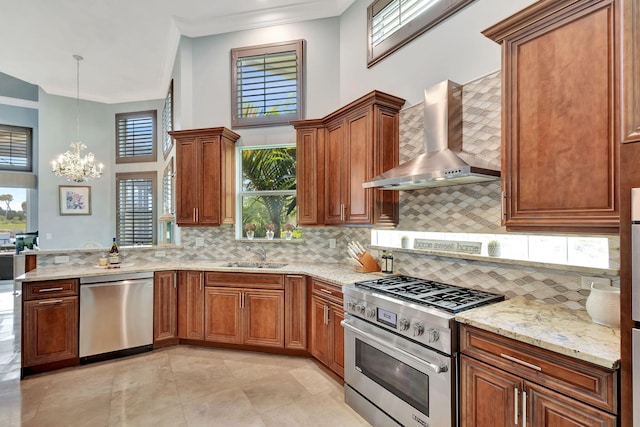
393 23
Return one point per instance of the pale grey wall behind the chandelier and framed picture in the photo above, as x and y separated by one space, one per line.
97 132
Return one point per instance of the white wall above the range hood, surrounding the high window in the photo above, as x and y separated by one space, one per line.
455 50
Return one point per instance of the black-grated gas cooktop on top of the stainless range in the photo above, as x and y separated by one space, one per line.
440 295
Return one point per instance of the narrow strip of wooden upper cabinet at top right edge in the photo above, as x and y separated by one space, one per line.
630 82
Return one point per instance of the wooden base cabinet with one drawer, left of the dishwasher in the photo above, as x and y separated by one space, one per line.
50 322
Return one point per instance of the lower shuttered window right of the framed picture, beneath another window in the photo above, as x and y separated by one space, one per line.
135 208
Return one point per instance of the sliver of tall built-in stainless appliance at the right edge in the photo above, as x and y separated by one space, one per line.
635 301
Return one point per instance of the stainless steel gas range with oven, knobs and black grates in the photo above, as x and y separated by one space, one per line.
401 349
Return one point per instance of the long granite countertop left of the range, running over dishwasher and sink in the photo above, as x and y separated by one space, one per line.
335 273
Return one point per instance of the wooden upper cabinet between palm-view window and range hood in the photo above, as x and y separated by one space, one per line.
339 152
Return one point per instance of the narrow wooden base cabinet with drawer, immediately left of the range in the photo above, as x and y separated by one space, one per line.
327 334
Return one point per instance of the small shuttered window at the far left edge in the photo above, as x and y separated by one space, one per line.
15 148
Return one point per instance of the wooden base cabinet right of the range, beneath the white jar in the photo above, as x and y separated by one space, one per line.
508 383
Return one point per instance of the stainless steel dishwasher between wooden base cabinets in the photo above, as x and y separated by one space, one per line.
116 315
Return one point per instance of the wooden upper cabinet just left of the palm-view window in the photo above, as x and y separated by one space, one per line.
205 176
